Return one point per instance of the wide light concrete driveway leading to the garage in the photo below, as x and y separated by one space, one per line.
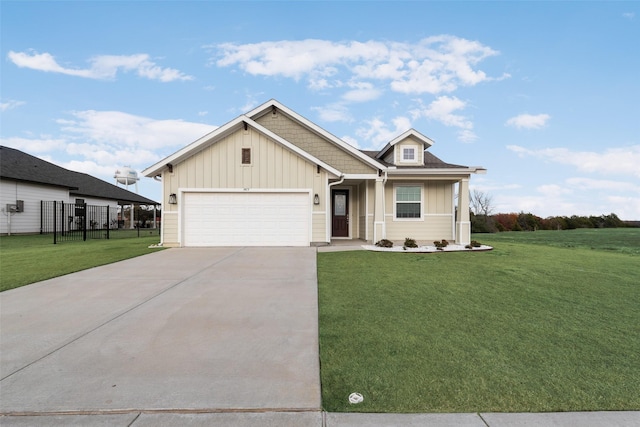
187 330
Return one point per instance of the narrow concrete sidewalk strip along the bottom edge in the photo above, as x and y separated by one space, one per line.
323 419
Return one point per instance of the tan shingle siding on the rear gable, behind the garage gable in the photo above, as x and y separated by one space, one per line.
317 146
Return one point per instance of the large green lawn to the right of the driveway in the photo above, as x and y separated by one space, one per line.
544 322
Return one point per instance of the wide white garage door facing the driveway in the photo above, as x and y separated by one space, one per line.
246 219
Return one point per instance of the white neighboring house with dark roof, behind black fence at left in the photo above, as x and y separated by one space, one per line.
26 180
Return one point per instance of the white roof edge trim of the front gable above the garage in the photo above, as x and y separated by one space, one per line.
223 131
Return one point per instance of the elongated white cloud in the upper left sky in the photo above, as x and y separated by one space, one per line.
103 67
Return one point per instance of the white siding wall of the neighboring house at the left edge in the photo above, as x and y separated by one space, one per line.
29 220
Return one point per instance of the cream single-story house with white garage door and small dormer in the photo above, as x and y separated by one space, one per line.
271 177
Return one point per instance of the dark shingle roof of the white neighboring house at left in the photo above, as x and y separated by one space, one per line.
19 166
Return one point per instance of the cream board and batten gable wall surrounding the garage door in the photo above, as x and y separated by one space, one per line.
220 166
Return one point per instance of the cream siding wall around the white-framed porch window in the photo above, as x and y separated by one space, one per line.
437 220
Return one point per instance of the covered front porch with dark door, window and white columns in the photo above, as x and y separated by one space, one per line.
368 209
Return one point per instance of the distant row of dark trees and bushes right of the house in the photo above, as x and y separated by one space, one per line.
484 221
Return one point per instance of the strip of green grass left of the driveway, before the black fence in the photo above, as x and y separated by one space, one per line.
26 259
